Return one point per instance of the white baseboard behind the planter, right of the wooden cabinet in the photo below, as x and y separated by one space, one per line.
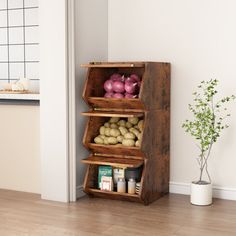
218 192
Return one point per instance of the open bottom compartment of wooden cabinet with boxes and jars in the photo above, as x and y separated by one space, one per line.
114 182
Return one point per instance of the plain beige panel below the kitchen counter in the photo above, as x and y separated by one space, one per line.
19 139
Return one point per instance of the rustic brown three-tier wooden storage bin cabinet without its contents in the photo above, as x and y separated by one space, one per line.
152 105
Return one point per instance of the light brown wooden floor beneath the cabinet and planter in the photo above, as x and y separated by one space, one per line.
24 214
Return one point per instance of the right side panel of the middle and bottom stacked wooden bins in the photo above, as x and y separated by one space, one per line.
157 149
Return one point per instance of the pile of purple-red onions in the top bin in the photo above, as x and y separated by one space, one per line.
119 86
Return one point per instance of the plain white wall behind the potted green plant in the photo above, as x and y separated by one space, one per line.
198 38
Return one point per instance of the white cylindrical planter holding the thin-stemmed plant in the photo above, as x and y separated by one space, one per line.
201 194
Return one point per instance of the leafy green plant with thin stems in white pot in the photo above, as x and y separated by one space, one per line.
208 122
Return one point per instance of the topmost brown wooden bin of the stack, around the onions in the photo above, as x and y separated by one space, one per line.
154 92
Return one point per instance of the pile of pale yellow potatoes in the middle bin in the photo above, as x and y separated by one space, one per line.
128 132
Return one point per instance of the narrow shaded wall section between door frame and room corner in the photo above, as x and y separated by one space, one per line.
91 44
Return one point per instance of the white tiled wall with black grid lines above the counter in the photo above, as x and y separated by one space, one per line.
19 43
